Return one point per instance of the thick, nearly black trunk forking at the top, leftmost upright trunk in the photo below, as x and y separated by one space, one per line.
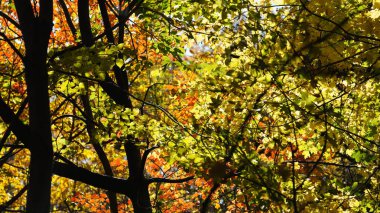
36 33
